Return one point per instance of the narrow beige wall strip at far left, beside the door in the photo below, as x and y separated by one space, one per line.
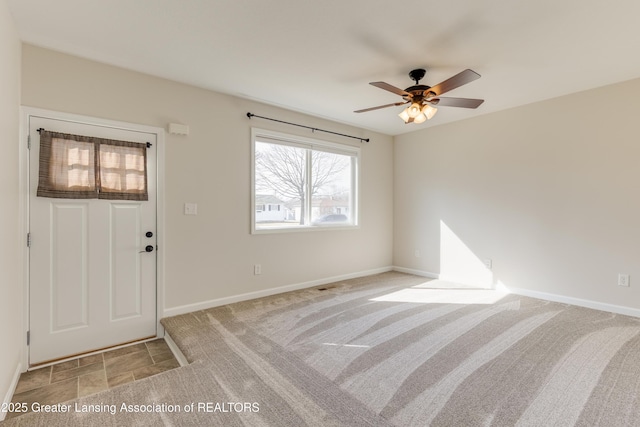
10 233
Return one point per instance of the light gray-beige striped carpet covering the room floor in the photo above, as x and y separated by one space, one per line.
389 350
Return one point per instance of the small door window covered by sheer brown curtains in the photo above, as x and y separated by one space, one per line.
82 167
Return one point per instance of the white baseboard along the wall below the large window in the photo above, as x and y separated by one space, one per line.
174 311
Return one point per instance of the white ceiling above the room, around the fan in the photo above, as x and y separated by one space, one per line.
317 57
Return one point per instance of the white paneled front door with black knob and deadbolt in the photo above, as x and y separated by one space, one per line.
92 281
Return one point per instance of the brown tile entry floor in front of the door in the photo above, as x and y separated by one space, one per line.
92 374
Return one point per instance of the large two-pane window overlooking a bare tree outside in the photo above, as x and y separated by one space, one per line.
304 183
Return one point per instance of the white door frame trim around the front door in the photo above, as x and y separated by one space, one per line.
25 114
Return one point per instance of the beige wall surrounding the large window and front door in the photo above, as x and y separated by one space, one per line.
211 255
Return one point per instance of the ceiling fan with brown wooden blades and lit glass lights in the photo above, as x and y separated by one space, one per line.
423 99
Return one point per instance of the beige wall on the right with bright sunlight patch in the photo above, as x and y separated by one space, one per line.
550 192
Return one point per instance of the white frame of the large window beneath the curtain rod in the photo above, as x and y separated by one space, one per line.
307 143
